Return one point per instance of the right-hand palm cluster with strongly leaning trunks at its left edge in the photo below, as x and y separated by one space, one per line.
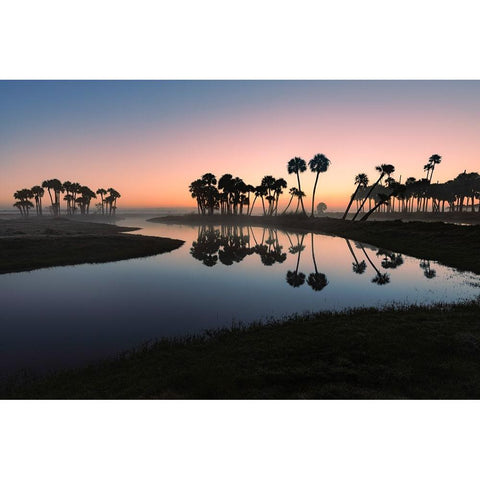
414 195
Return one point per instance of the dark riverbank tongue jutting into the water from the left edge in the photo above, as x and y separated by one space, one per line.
28 244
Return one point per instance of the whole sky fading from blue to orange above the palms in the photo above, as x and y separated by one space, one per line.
150 139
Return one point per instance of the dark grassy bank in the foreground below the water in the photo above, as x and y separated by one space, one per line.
415 352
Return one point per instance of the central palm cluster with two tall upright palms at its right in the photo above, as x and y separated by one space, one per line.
232 196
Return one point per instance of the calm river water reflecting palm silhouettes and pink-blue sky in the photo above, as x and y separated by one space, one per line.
68 316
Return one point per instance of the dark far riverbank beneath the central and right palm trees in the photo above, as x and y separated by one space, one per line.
452 245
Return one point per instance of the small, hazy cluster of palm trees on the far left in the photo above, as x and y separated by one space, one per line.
77 197
